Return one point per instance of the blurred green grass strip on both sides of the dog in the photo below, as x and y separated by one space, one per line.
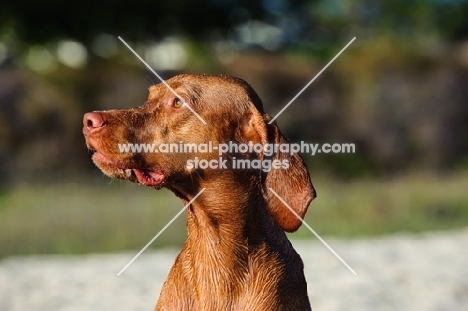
115 216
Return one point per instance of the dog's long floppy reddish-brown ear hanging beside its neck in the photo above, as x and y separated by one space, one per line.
291 181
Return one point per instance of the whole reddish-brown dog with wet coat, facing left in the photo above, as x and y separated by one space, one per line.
236 256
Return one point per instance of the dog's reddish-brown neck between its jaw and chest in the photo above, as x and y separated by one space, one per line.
237 213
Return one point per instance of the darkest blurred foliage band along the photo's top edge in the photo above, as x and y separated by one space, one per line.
41 22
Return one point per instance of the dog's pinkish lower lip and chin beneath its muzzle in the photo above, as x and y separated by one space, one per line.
151 178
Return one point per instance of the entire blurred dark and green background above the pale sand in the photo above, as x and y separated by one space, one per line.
398 92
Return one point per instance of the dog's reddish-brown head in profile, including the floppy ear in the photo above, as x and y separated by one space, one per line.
155 144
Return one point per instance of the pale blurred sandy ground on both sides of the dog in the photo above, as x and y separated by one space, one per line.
398 272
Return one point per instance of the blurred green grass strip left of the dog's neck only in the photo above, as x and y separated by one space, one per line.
85 218
